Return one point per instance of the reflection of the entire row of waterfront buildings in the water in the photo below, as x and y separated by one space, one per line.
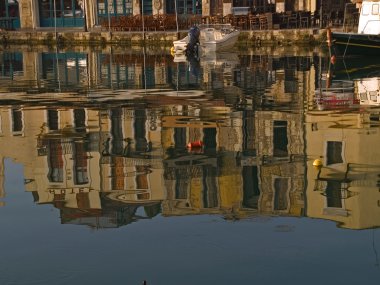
110 145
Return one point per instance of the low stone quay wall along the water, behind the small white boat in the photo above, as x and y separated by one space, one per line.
96 37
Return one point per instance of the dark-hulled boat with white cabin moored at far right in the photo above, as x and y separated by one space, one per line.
366 41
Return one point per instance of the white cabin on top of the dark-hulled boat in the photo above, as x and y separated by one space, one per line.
369 21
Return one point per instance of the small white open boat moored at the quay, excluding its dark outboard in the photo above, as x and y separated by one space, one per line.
213 37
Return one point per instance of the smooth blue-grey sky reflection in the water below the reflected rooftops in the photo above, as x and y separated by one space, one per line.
37 249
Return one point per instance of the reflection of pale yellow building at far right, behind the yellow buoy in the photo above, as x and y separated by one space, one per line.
345 188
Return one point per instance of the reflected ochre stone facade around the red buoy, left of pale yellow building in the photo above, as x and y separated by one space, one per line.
241 171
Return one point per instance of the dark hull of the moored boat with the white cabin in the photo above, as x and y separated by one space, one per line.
355 44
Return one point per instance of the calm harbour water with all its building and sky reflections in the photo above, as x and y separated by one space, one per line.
100 185
